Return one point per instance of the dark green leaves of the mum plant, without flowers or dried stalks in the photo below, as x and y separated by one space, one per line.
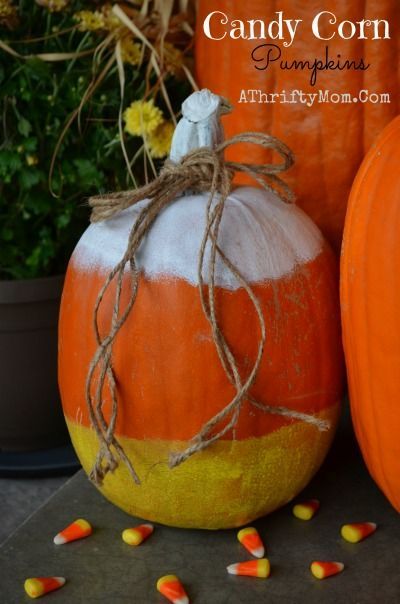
40 221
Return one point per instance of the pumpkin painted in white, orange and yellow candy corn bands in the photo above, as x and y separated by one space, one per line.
169 378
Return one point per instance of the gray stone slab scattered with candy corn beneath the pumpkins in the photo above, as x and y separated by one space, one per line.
103 569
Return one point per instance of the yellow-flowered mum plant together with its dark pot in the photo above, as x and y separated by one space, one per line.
85 101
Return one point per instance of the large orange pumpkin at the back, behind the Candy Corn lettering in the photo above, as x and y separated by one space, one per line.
329 139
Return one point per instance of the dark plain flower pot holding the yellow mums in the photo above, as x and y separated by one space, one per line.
31 416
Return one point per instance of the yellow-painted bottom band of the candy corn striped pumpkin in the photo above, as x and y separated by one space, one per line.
229 484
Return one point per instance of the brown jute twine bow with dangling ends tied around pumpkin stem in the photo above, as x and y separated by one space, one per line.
202 170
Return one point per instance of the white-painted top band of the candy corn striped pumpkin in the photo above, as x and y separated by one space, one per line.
264 237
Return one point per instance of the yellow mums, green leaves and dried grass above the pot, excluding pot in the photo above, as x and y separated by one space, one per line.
88 98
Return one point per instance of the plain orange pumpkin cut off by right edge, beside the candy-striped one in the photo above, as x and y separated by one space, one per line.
370 293
